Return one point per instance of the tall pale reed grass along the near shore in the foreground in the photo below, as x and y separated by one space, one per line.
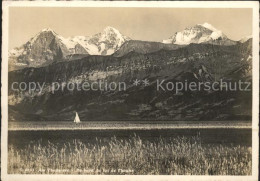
177 156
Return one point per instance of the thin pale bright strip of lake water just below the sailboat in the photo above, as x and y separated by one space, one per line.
135 125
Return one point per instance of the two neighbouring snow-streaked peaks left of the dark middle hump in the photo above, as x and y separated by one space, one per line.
47 47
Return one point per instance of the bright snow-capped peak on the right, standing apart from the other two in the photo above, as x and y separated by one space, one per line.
200 33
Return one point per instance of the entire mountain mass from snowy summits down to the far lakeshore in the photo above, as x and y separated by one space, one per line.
198 54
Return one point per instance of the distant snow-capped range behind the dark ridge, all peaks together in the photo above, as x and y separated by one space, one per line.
47 46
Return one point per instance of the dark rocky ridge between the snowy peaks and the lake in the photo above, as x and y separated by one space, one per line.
191 63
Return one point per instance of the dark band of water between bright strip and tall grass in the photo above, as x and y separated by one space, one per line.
236 136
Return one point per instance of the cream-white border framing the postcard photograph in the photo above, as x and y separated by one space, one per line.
164 4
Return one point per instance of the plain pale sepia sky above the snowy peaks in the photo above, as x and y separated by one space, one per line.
148 24
